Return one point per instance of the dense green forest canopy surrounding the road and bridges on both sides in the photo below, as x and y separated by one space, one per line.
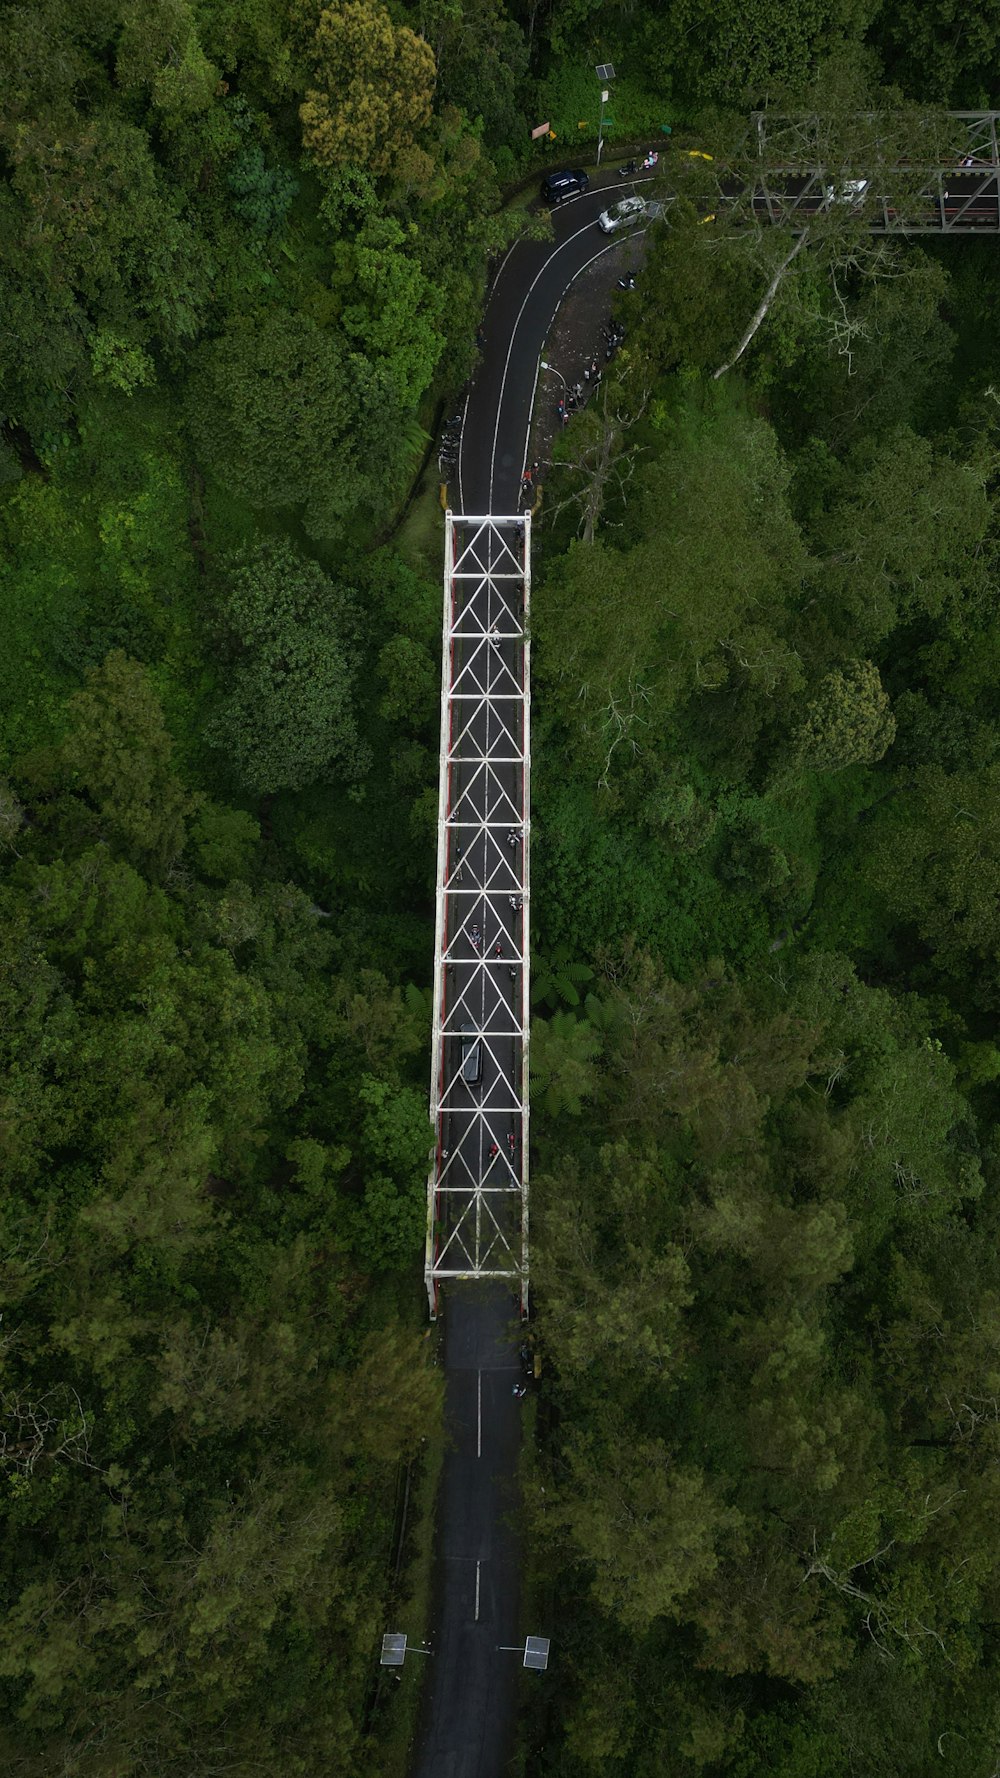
245 248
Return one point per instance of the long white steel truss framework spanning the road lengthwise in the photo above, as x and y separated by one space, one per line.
478 1190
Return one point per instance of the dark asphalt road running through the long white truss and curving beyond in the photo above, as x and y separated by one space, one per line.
469 1708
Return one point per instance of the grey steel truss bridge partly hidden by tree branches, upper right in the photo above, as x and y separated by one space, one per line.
905 175
